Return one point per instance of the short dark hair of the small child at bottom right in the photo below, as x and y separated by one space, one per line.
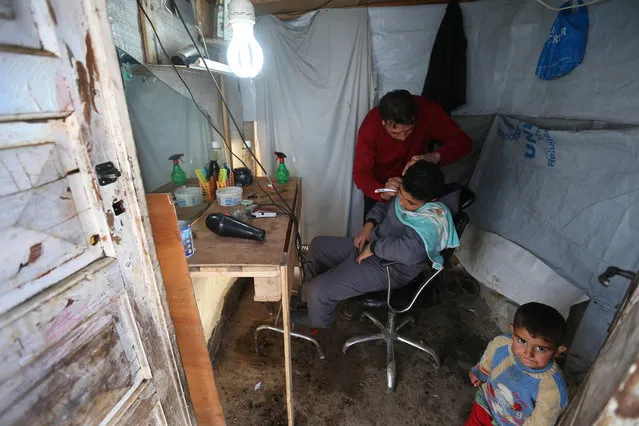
541 321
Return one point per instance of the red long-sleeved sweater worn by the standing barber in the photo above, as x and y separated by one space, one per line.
379 157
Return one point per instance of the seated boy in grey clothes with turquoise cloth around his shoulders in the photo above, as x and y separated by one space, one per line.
410 229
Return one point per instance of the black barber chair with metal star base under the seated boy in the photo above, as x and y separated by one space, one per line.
401 300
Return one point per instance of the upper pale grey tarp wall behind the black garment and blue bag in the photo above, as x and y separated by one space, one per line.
505 39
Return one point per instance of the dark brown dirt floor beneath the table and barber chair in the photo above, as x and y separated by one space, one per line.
350 389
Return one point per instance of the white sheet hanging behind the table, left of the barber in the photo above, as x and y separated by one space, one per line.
312 95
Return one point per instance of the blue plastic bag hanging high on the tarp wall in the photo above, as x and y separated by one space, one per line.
566 43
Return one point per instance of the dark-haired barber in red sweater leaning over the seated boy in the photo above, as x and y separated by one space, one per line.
395 135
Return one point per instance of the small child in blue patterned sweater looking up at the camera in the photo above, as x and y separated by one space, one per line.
519 382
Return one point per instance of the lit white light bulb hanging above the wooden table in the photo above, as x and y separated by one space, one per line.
244 54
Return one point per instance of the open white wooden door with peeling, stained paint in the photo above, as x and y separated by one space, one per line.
85 335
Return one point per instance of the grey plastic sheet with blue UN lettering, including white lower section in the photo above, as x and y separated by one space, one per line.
567 198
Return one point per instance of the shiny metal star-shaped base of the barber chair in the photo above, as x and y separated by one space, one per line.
389 333
